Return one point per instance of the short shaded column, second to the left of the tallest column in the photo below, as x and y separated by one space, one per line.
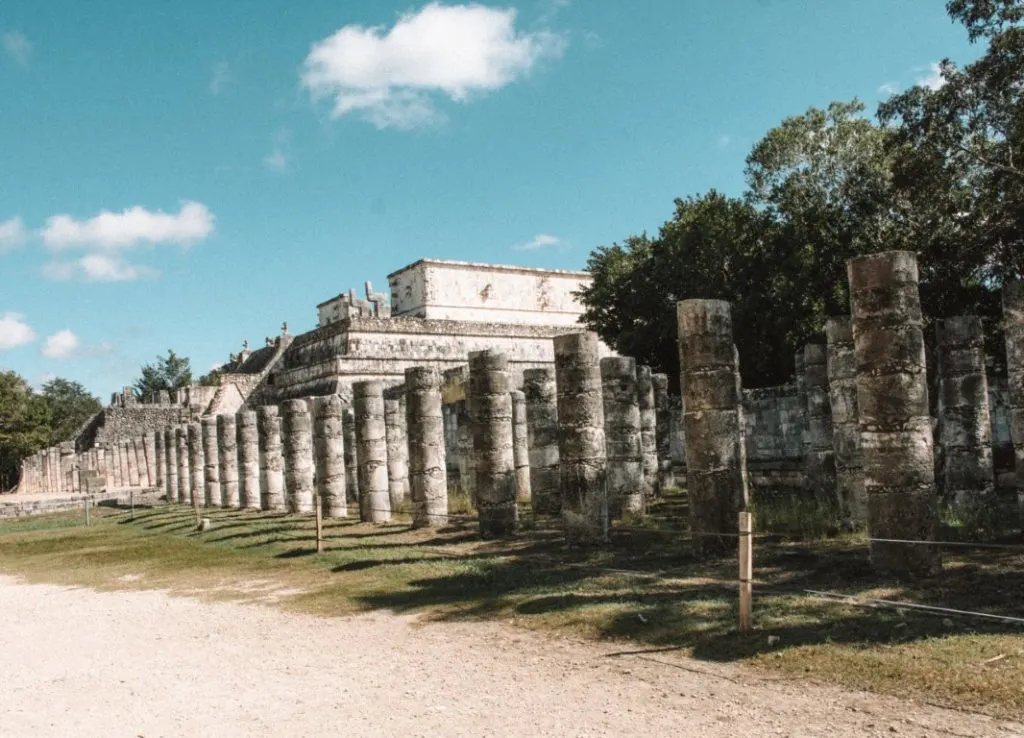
820 458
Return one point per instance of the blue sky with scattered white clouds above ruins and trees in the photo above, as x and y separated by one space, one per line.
187 176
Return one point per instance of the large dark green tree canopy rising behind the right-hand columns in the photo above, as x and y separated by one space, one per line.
941 173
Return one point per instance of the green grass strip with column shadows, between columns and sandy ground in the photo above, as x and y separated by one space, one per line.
645 588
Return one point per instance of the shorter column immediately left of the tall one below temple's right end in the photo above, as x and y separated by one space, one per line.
542 432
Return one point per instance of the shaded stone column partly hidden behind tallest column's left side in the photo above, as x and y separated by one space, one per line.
842 371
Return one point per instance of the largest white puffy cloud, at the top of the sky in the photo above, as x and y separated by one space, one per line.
389 75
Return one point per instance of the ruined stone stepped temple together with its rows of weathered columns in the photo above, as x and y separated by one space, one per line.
389 407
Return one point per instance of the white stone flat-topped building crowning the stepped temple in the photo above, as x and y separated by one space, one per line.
487 293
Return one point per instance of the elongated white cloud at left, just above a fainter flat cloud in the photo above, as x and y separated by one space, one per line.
118 231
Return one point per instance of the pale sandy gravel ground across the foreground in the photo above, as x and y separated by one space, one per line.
77 663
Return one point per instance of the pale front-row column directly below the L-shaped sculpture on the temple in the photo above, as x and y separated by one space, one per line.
368 406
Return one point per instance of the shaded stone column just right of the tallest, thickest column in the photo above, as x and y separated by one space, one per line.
965 431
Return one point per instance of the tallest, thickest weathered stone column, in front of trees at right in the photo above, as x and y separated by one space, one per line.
892 403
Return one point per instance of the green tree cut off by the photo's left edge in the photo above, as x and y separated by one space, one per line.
25 426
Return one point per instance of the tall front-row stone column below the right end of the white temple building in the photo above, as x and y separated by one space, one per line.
581 440
